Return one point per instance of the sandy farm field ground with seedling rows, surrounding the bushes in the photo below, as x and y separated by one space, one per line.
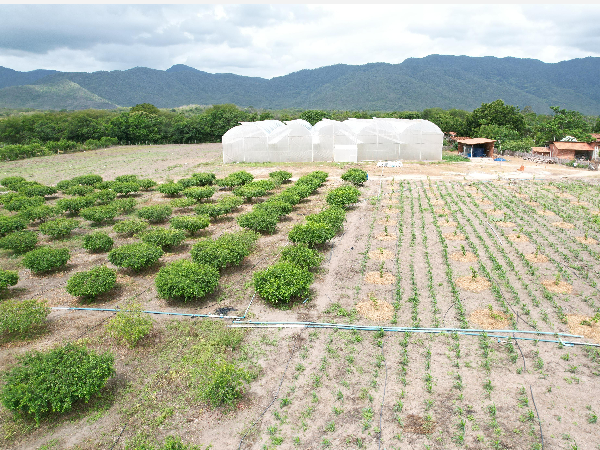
423 373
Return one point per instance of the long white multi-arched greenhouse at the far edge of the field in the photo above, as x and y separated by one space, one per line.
329 140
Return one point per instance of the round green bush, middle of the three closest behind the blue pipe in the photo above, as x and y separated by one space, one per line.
186 280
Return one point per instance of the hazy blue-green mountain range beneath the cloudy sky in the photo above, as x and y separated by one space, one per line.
417 83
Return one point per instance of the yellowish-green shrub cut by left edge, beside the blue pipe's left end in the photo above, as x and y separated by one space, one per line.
22 316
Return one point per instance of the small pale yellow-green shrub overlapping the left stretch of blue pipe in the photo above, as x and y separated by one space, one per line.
129 325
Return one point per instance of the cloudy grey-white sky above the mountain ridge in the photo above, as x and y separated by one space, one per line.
268 40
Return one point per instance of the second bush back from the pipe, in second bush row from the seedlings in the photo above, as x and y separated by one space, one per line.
227 249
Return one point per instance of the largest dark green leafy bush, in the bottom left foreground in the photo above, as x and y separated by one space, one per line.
32 387
